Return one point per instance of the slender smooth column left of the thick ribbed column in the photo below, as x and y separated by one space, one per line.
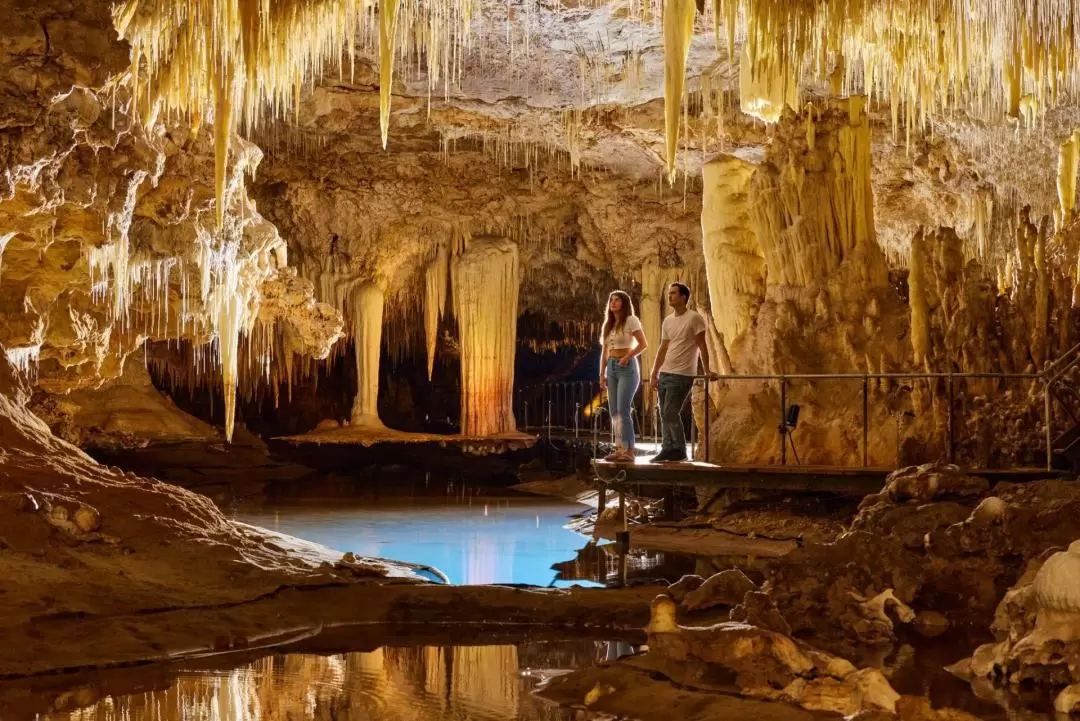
366 310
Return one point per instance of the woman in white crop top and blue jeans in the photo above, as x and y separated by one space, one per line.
624 341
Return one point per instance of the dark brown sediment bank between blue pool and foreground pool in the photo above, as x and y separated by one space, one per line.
295 615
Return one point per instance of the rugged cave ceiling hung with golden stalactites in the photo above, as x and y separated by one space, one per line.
541 121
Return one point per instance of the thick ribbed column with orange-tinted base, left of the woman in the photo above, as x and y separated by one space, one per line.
485 280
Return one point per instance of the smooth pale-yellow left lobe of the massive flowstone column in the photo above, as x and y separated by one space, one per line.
734 263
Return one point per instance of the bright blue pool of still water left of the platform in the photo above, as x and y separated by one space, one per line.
474 536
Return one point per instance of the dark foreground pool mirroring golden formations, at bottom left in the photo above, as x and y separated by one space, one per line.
426 684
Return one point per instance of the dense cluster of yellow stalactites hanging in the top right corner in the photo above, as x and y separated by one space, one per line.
1011 58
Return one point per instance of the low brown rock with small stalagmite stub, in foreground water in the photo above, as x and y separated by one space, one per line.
739 671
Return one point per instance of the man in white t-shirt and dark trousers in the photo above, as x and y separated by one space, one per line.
682 341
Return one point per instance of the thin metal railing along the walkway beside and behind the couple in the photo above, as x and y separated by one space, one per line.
562 407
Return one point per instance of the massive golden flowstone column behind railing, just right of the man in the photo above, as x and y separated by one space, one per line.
798 282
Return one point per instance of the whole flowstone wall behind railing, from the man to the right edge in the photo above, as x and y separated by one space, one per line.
800 283
